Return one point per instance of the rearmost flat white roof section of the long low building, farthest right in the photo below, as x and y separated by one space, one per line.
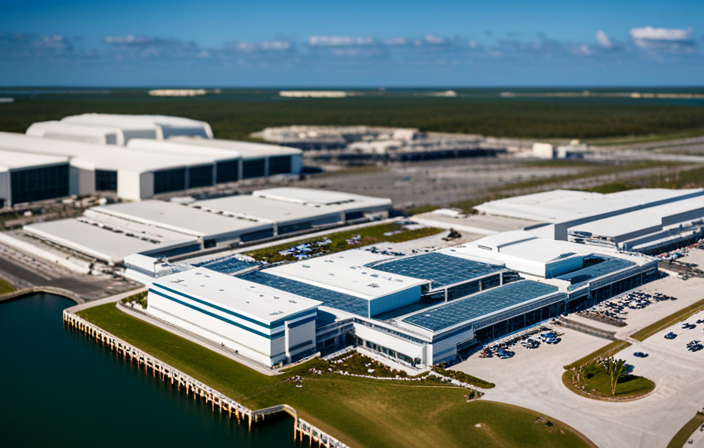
320 197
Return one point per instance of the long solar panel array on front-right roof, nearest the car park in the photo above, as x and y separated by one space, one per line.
478 305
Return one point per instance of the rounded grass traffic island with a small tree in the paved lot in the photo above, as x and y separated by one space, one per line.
588 378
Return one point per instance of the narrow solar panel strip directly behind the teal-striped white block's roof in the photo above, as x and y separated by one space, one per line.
329 298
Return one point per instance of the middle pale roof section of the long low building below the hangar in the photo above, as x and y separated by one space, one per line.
179 218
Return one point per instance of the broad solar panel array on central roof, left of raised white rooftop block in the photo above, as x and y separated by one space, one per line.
441 269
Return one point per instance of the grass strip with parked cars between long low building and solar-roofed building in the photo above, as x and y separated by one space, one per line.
345 240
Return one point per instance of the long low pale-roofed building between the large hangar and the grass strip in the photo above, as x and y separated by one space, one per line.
110 233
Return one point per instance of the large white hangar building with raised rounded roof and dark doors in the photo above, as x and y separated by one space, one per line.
139 156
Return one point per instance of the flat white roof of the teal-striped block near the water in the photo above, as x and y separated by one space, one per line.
251 299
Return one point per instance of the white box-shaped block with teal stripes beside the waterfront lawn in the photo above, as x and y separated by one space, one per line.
265 324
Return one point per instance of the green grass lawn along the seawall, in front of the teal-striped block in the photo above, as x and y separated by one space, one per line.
361 412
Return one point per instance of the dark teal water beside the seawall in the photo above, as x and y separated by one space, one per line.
58 387
